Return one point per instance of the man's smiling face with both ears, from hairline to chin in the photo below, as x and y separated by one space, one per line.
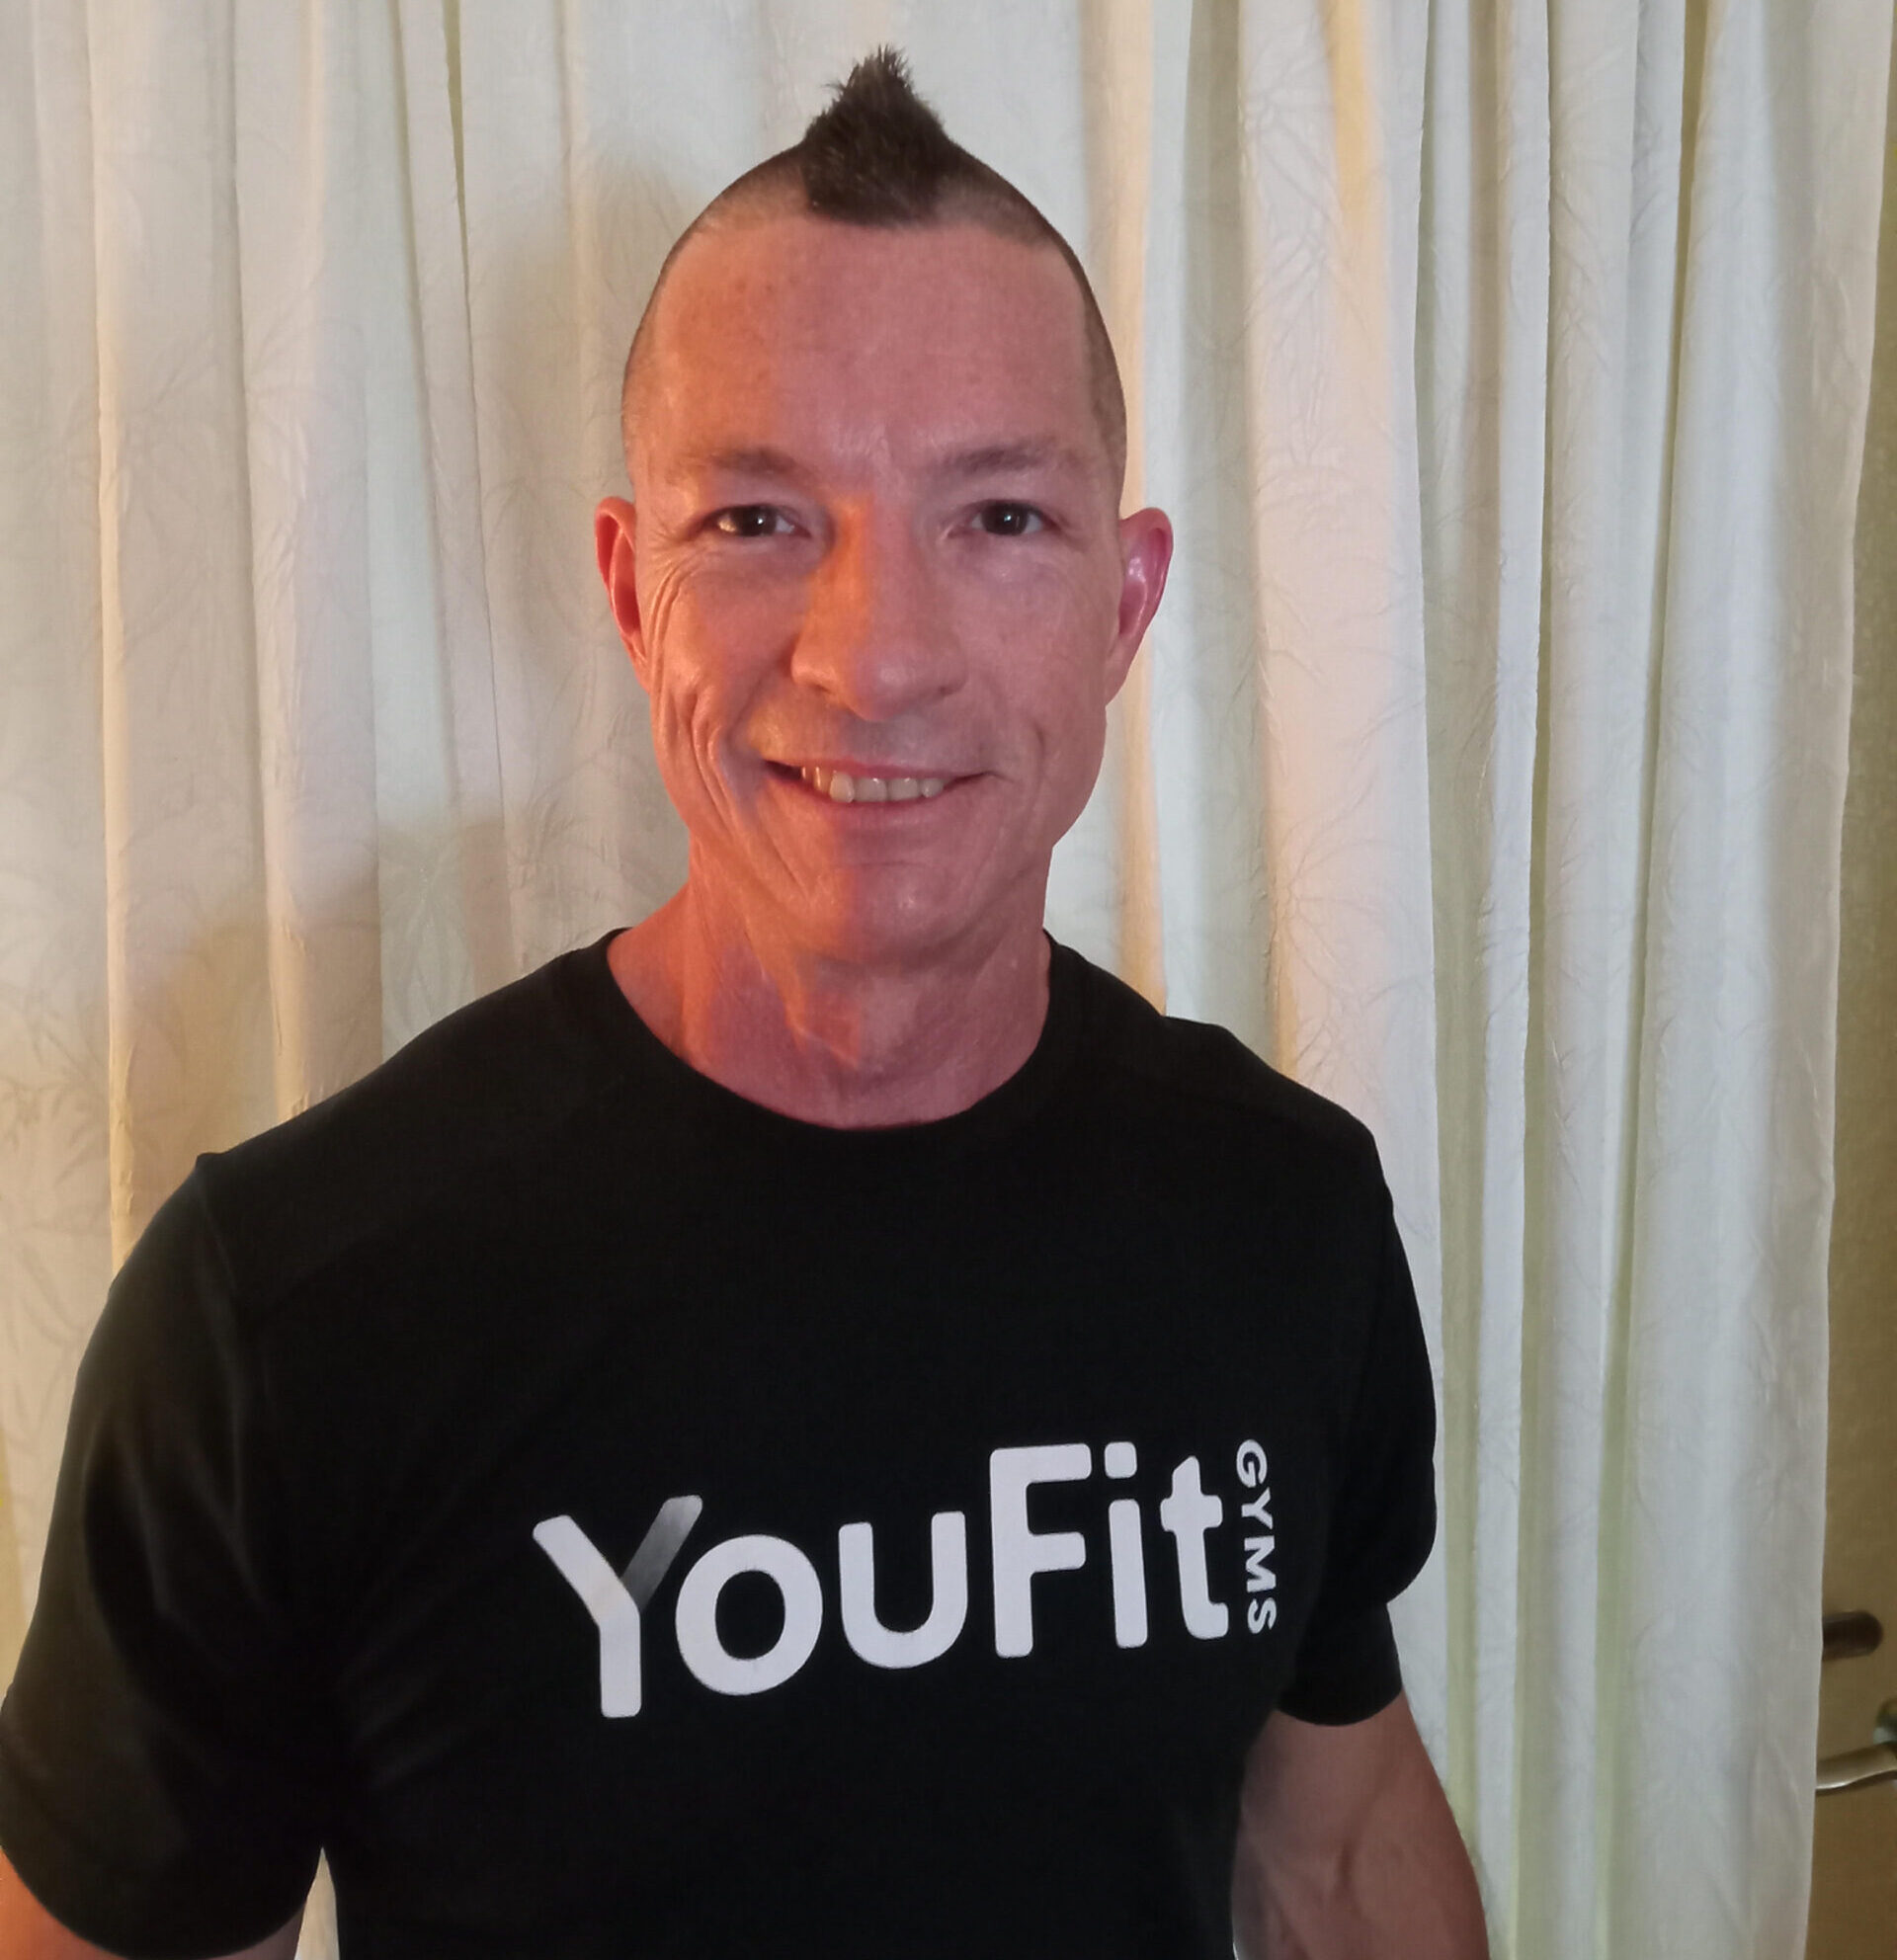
877 583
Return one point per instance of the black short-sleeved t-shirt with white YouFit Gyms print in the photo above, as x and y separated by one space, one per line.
612 1518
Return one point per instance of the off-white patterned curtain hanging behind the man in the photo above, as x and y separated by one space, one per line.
1504 367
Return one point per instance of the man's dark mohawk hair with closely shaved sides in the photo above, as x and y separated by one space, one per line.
881 158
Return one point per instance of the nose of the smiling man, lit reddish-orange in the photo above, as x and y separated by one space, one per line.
877 634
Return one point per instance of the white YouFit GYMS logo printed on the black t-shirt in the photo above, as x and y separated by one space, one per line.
618 1602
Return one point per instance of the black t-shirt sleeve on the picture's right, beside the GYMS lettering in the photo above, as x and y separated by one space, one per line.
1385 1516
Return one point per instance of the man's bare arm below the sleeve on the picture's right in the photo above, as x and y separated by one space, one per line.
1347 1847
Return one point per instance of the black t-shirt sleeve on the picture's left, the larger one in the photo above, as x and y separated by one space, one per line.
162 1751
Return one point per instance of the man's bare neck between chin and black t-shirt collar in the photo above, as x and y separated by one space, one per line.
826 1042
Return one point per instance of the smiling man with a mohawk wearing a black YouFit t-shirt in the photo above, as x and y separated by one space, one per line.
820 1424
